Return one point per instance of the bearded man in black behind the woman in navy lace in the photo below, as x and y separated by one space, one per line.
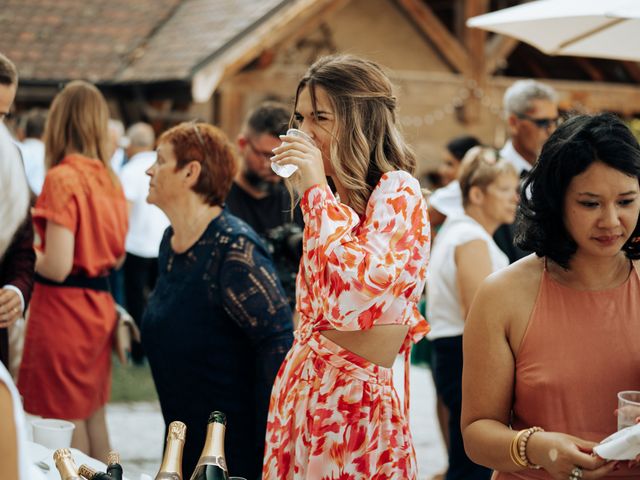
259 197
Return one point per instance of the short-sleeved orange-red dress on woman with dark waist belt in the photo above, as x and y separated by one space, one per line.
66 366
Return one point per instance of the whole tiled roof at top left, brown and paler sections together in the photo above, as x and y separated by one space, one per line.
119 41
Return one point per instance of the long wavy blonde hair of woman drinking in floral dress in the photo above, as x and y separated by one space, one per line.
367 142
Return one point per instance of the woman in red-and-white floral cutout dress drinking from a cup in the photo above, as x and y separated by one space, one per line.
334 412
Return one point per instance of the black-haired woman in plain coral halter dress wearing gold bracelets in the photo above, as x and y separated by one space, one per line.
550 340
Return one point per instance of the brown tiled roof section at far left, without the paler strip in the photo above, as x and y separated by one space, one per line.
53 40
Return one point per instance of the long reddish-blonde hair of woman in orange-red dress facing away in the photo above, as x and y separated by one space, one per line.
77 123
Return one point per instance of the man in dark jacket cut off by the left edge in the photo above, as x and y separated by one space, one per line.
18 264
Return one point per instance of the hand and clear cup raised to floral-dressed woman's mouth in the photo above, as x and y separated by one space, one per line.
298 150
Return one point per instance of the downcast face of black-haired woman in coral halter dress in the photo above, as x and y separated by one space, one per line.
601 209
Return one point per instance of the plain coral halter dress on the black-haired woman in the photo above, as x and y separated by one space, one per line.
579 350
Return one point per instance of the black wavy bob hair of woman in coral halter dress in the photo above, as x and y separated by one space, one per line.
569 151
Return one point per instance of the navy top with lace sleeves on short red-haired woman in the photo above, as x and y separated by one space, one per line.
216 329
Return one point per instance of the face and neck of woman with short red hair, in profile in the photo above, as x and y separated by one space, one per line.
165 182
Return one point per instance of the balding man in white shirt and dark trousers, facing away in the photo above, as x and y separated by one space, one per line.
147 224
